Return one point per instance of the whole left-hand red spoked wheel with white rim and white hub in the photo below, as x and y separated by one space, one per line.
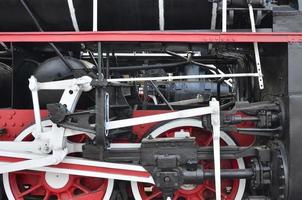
28 184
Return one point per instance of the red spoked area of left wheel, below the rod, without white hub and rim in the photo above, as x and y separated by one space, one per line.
77 187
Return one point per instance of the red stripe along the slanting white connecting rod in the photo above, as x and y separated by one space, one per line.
85 168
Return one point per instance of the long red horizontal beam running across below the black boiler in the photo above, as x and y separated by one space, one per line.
150 36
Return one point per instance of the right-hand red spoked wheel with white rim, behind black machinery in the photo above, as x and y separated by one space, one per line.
231 189
